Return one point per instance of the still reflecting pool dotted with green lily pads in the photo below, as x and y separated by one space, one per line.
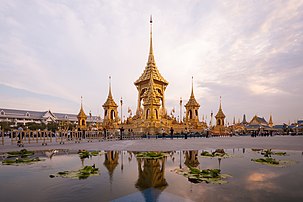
127 176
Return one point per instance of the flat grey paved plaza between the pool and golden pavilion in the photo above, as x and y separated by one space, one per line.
276 142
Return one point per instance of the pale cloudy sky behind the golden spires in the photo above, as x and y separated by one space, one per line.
249 52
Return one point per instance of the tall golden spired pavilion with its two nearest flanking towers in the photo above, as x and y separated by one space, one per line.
151 115
